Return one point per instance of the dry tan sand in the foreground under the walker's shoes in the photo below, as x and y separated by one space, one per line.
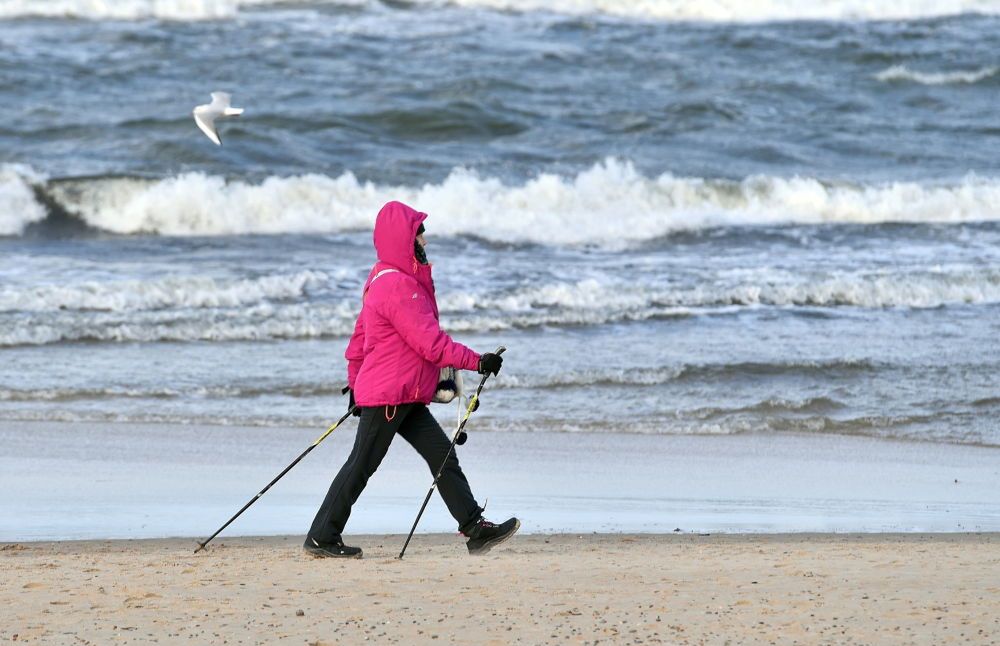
622 589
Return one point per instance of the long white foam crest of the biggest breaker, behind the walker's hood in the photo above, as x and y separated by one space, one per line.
610 204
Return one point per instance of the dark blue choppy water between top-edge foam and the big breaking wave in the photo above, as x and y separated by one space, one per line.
403 95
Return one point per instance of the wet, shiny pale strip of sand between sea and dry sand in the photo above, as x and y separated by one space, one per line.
96 481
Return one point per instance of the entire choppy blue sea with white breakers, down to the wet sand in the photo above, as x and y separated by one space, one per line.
743 219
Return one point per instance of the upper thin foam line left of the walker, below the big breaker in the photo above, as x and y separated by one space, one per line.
163 293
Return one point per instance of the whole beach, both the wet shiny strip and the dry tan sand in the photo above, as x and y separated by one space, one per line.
766 553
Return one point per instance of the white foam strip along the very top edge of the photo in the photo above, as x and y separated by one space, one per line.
664 10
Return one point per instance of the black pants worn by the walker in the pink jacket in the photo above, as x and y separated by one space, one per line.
375 432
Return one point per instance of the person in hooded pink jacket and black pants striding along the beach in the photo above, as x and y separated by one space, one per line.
394 360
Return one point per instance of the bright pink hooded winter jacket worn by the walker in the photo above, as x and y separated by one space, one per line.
398 347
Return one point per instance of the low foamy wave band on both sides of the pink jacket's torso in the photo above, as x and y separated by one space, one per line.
254 310
